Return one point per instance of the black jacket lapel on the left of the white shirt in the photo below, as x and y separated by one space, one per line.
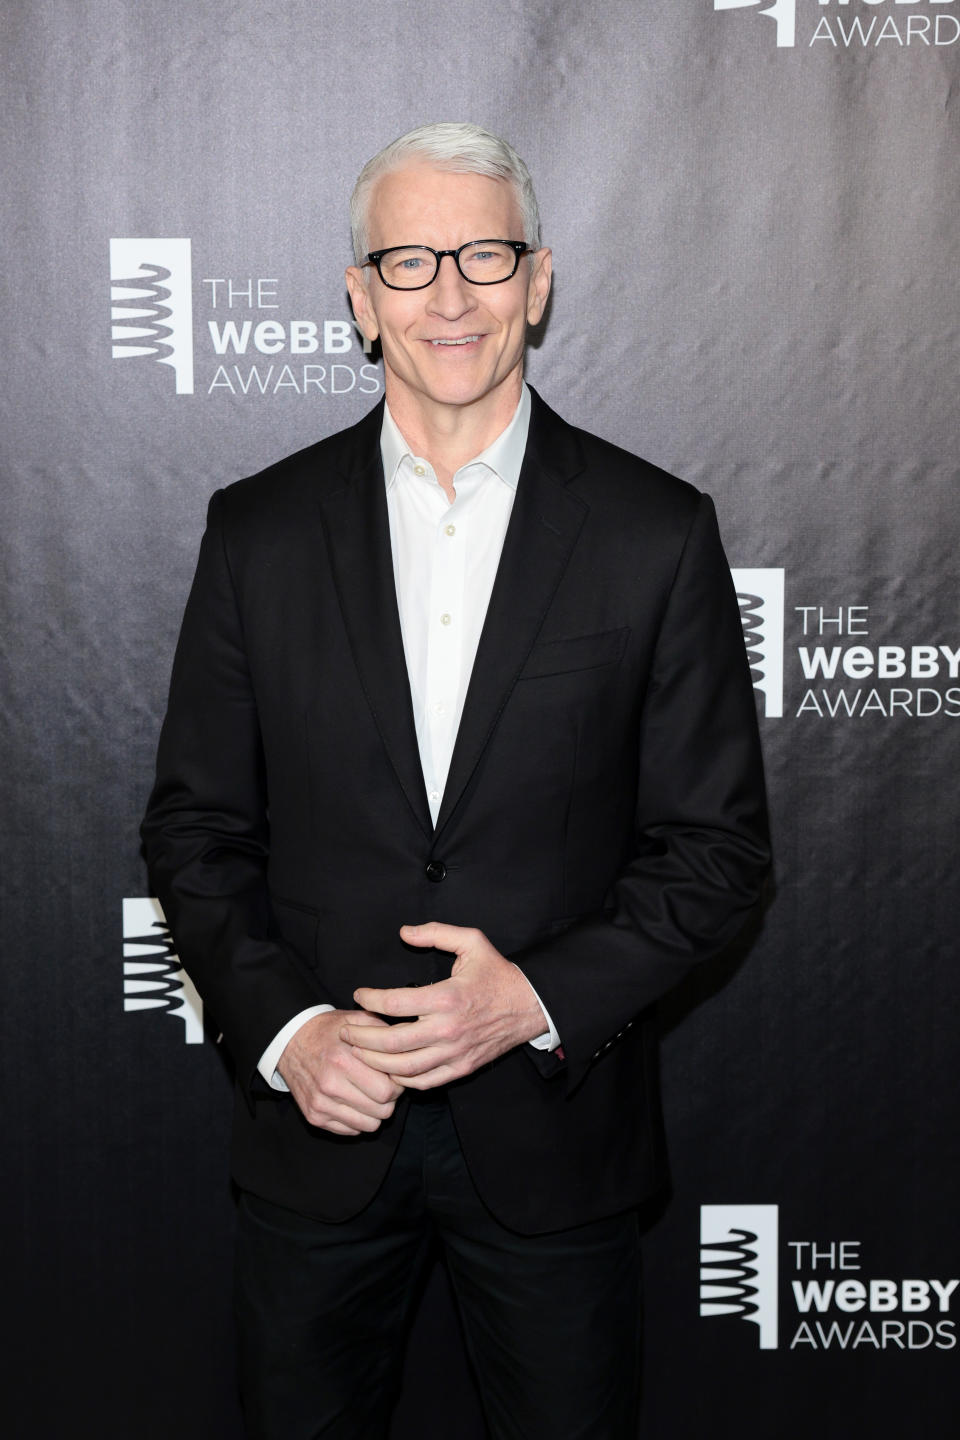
358 531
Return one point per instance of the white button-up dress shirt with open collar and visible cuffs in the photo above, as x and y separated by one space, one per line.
445 557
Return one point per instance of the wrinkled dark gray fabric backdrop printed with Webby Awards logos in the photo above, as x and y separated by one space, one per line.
755 214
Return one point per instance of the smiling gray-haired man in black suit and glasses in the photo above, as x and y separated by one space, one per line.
460 774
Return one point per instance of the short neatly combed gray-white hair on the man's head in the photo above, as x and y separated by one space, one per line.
448 146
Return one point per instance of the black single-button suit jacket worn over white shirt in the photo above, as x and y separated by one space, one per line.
604 822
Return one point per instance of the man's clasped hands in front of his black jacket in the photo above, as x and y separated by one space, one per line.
348 1069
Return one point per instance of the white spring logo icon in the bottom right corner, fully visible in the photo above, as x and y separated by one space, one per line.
739 1265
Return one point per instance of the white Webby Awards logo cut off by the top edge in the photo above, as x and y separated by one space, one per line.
857 25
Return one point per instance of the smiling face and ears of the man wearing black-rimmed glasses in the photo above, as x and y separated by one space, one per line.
425 207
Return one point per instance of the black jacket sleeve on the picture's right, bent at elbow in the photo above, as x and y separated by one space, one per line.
700 845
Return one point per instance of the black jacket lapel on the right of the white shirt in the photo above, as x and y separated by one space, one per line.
543 531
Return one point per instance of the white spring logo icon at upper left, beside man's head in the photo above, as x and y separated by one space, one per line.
153 305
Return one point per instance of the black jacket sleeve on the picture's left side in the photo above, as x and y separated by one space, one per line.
207 830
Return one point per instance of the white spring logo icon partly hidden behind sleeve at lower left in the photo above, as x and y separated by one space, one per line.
153 978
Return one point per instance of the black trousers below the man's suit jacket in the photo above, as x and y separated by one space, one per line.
552 1323
